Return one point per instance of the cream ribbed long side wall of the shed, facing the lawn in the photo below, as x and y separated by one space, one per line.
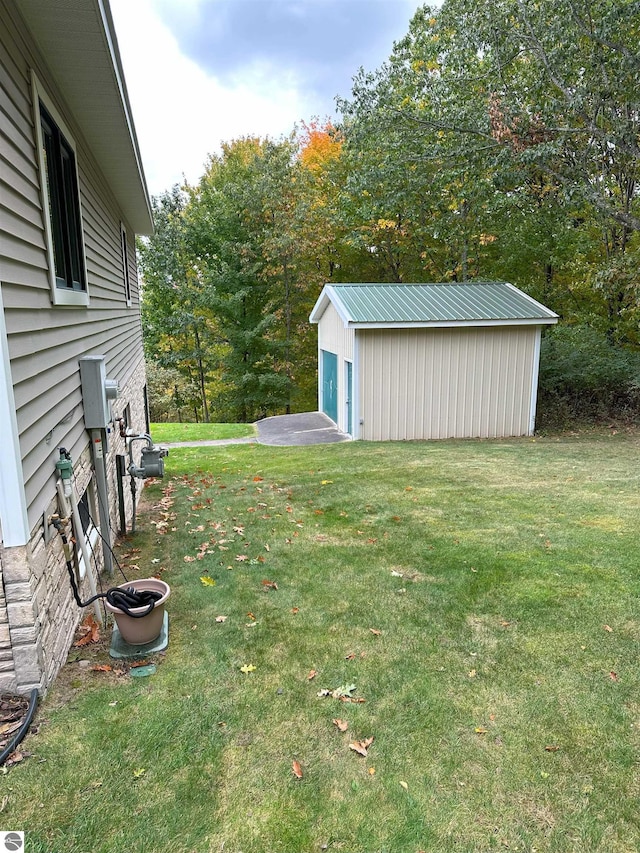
446 383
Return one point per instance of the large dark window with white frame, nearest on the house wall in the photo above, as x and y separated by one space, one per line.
61 204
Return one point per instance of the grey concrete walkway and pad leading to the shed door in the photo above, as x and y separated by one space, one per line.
282 431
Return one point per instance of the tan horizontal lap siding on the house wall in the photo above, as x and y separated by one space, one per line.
45 342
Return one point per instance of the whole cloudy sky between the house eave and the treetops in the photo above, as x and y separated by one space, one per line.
202 72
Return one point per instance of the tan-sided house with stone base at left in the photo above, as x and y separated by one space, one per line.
72 199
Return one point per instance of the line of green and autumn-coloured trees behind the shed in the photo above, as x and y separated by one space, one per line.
499 141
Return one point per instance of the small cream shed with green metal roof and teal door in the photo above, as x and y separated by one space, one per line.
425 361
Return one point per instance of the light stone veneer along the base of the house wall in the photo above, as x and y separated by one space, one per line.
38 614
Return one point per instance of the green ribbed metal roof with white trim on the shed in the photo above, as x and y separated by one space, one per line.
397 305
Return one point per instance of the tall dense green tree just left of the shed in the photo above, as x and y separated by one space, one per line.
224 227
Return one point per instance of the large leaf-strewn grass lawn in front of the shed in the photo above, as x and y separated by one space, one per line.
475 605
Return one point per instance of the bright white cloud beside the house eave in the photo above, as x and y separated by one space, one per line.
181 113
